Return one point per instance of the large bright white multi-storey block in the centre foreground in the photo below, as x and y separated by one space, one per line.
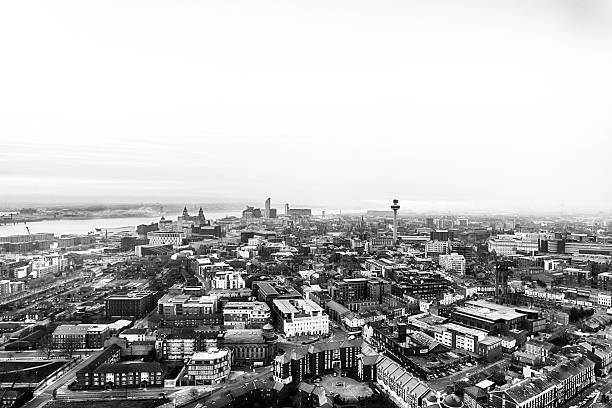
300 317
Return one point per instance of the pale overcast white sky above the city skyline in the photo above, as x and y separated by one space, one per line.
445 105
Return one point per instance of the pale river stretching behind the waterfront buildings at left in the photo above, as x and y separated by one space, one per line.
68 226
